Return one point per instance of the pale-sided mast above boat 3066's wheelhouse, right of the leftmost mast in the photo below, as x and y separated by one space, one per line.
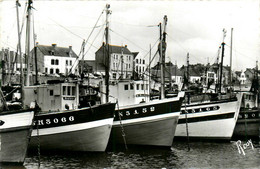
27 49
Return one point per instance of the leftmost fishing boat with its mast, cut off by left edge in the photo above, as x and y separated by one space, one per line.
15 125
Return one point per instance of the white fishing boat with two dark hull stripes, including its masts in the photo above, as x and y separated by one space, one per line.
209 115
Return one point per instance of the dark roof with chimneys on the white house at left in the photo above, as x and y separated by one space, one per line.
58 51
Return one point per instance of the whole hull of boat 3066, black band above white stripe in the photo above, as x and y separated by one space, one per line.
86 129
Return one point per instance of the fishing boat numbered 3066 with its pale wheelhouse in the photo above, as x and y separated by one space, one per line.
61 125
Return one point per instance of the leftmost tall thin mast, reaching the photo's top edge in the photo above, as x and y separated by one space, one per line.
20 52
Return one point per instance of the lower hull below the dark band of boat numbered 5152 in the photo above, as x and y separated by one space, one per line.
156 131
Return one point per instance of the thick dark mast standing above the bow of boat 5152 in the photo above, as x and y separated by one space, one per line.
162 53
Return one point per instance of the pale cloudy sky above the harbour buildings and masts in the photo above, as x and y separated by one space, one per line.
194 27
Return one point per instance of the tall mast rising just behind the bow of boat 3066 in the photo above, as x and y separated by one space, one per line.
107 52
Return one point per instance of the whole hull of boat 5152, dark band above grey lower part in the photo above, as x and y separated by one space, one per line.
153 123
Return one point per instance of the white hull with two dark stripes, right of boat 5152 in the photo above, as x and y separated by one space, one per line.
212 120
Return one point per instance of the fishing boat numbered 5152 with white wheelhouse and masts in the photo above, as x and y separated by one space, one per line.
140 122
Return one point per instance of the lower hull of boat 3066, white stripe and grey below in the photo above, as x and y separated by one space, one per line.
89 136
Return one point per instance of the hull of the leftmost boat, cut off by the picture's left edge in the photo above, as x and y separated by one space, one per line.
15 131
